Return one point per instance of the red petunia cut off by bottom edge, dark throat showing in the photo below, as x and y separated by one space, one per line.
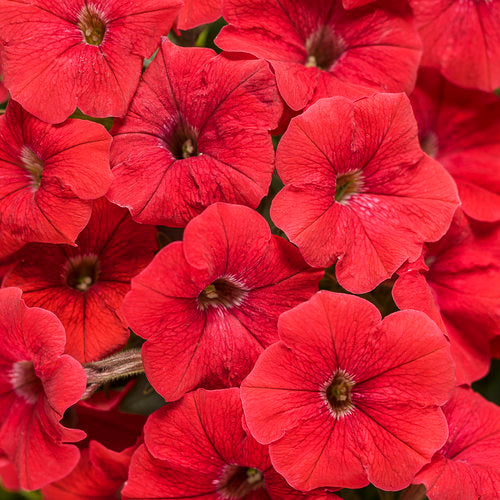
199 448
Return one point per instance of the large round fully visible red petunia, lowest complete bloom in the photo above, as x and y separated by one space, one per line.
343 398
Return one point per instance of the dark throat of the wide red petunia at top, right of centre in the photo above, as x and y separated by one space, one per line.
323 48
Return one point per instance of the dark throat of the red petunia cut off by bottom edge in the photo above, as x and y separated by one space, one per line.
238 481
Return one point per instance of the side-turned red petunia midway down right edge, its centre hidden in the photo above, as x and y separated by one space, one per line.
456 284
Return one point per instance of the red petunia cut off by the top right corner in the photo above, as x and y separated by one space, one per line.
462 40
